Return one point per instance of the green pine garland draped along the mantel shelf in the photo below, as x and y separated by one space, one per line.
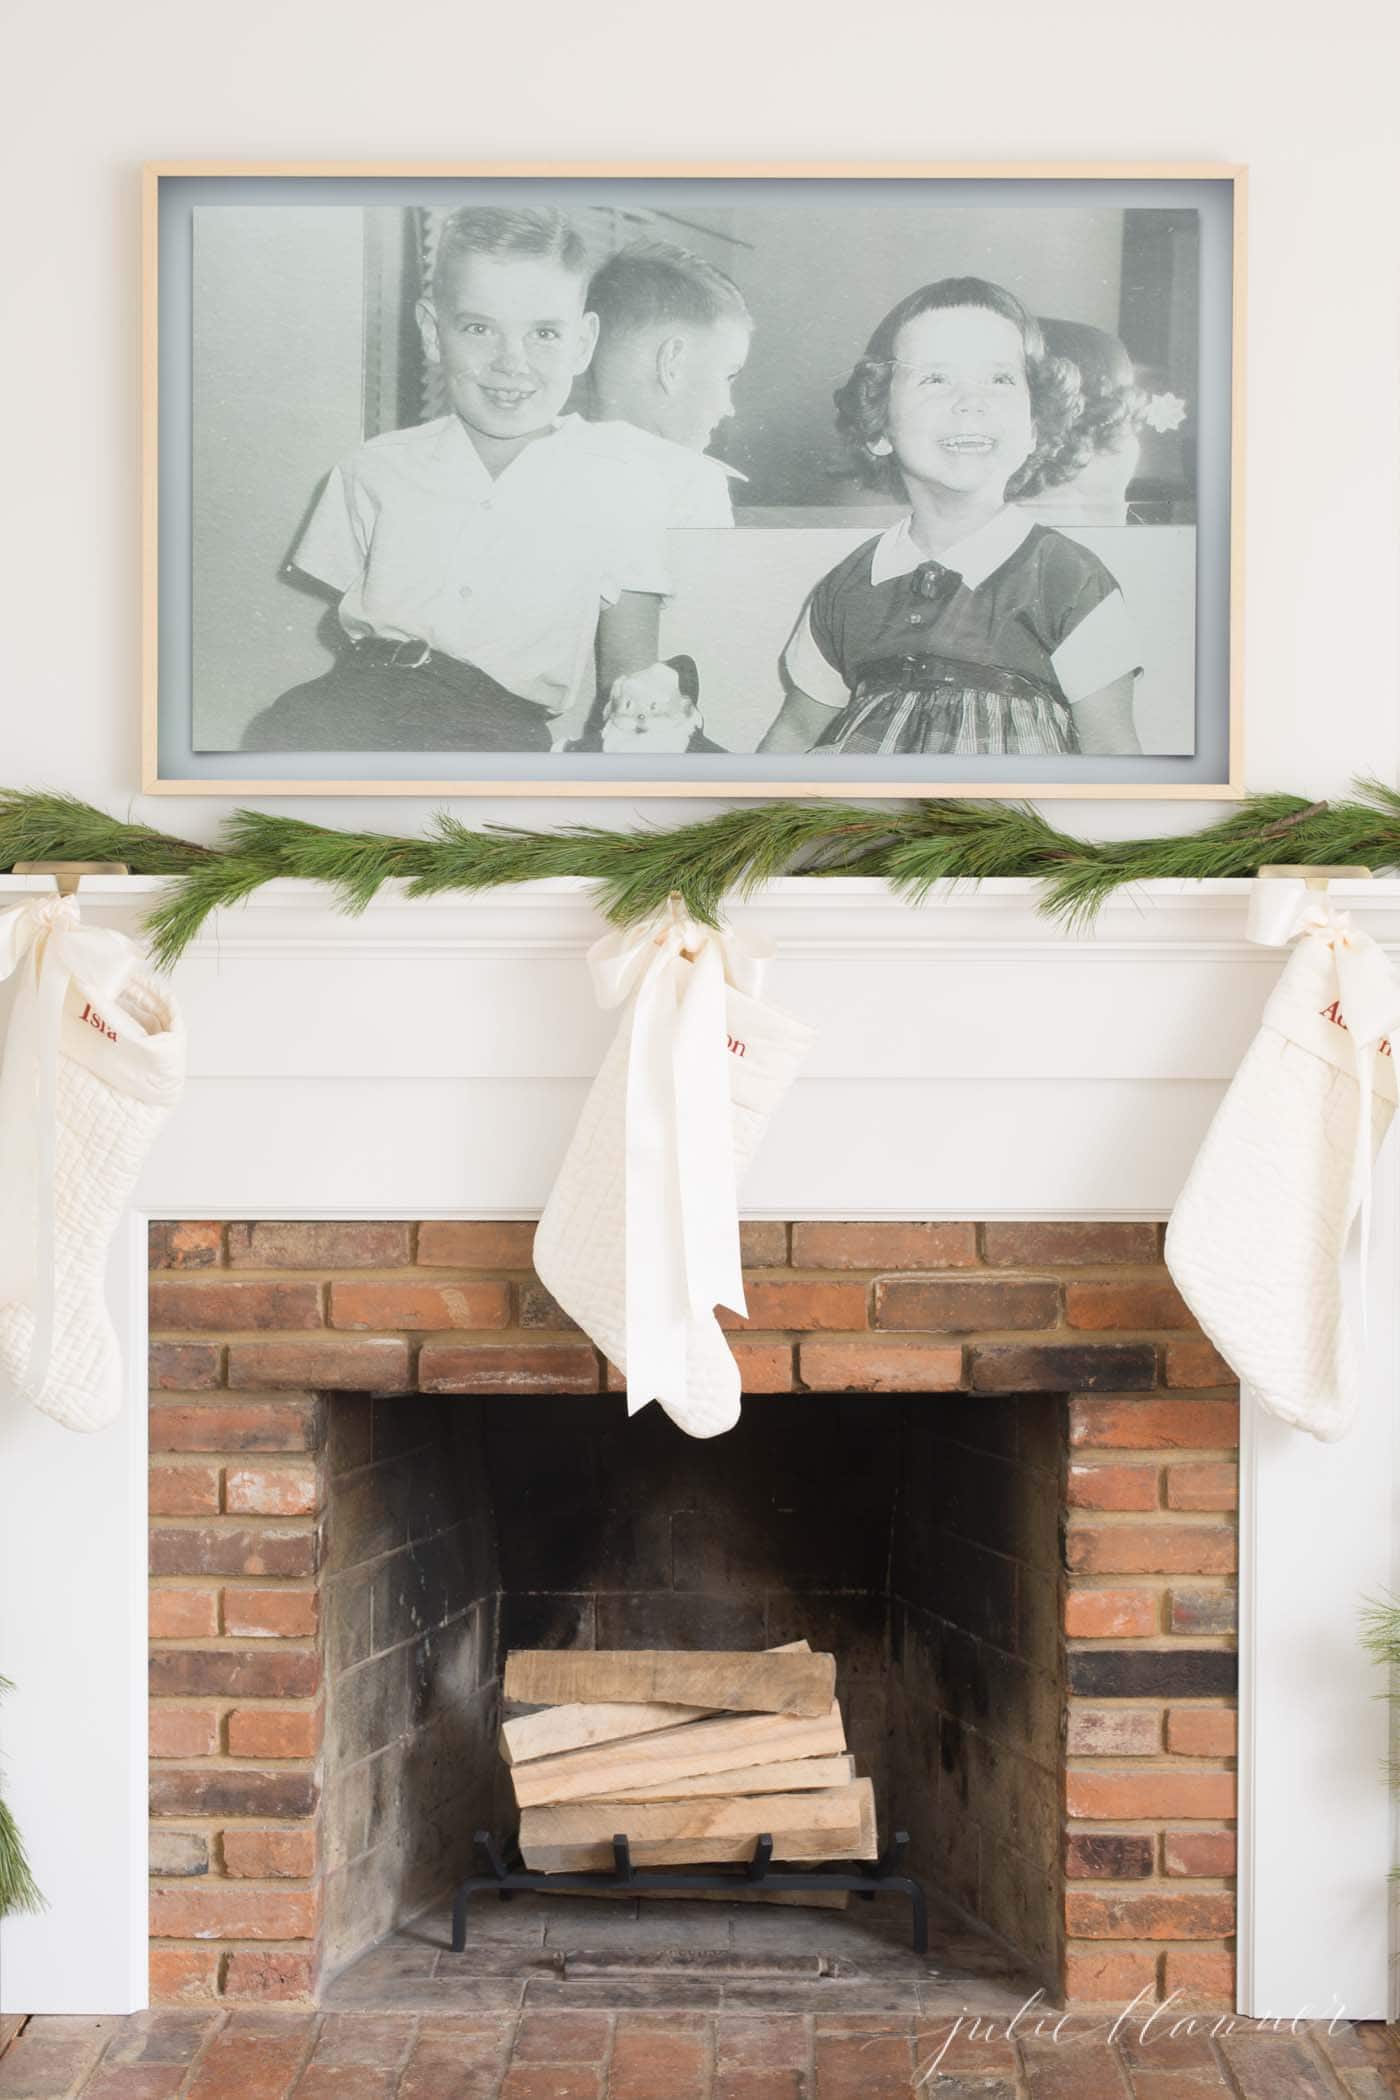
910 845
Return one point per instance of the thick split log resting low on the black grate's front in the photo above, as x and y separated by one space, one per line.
578 1836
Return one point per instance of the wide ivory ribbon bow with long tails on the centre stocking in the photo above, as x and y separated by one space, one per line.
683 1213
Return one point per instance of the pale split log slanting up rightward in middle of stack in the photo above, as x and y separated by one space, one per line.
704 1746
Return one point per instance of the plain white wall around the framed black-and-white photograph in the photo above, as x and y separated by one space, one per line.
1304 98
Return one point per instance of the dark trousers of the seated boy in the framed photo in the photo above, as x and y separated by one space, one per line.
436 707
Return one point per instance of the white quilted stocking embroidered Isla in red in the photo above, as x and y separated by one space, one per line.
119 1072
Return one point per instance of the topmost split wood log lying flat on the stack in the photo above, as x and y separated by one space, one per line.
725 1681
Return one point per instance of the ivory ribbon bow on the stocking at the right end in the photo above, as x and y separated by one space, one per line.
1370 994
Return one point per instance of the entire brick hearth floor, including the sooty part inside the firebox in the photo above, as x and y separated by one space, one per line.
690 2002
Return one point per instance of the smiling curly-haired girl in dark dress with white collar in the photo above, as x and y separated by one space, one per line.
967 627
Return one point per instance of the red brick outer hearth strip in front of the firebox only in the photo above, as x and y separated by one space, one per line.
576 2055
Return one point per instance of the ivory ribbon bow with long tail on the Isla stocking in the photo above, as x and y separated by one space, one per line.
51 950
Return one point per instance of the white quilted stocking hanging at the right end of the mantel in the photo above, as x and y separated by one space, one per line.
1258 1234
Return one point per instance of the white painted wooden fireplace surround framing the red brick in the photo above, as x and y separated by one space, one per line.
973 1062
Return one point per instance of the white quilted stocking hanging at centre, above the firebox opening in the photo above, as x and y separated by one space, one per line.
582 1238
